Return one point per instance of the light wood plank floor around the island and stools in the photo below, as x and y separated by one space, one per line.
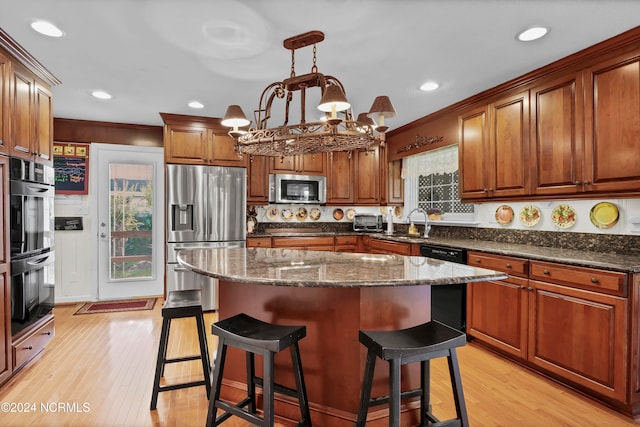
100 369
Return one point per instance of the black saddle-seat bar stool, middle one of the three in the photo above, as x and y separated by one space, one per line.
257 337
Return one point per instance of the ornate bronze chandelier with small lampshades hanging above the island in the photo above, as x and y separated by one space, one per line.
340 131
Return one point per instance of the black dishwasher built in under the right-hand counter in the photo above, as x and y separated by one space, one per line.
448 302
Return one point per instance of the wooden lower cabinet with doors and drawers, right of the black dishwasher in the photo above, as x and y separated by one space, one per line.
572 324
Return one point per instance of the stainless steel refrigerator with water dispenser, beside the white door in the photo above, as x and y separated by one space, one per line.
206 207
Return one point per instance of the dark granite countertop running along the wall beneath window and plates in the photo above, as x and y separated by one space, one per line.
609 261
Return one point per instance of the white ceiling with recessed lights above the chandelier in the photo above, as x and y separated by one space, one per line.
157 55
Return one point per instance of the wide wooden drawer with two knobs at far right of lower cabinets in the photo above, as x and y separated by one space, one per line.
611 282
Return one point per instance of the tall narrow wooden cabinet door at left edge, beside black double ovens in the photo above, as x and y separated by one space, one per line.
6 363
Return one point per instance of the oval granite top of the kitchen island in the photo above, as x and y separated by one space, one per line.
287 267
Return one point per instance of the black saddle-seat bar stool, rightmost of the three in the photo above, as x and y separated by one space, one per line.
417 344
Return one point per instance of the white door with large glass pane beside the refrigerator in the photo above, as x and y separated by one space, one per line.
130 223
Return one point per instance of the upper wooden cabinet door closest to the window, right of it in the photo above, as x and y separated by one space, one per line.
474 153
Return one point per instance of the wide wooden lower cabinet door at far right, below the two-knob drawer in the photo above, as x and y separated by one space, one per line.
579 335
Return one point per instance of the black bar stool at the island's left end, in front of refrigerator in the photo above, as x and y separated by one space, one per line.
184 303
